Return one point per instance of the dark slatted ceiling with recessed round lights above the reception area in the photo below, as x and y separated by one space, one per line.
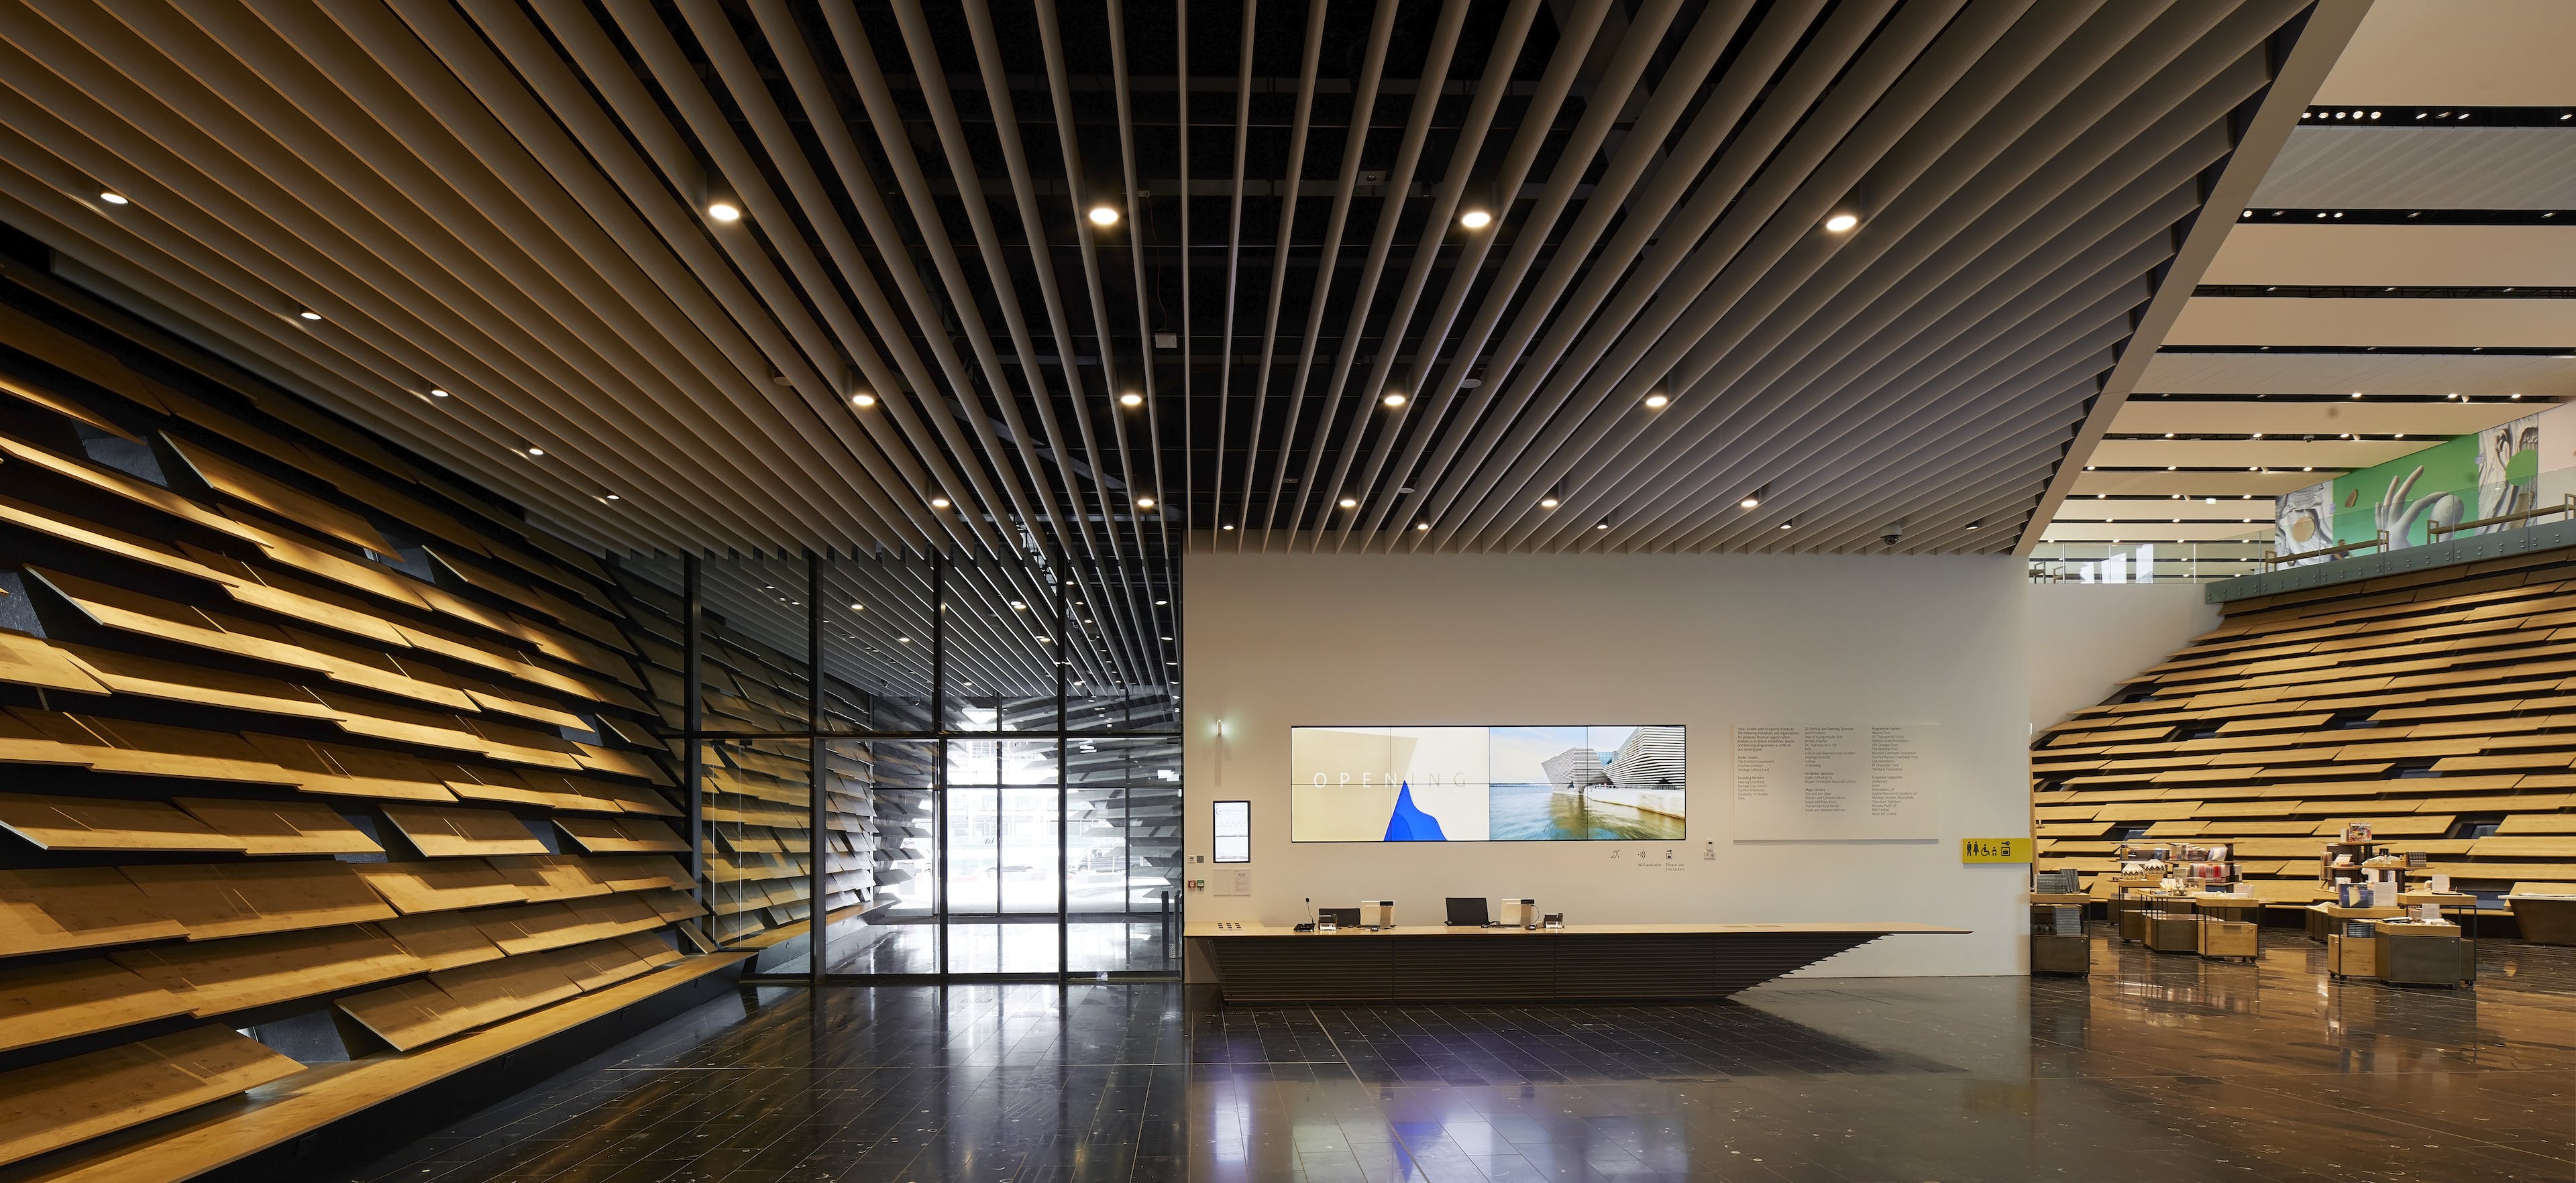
511 202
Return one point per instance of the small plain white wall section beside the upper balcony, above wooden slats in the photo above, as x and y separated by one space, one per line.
2085 638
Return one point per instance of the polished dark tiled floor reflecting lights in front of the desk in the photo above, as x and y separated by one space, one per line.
2157 1068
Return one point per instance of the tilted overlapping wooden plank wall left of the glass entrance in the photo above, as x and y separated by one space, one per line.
292 733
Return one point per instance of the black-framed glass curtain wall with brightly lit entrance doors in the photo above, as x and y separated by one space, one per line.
916 769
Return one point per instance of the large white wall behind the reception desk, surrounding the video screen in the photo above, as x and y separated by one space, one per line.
1709 643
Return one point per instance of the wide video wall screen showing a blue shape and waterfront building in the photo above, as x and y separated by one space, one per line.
1485 785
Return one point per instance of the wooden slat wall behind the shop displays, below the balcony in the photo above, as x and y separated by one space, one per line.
2433 705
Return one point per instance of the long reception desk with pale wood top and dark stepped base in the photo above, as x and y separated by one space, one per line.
1495 965
